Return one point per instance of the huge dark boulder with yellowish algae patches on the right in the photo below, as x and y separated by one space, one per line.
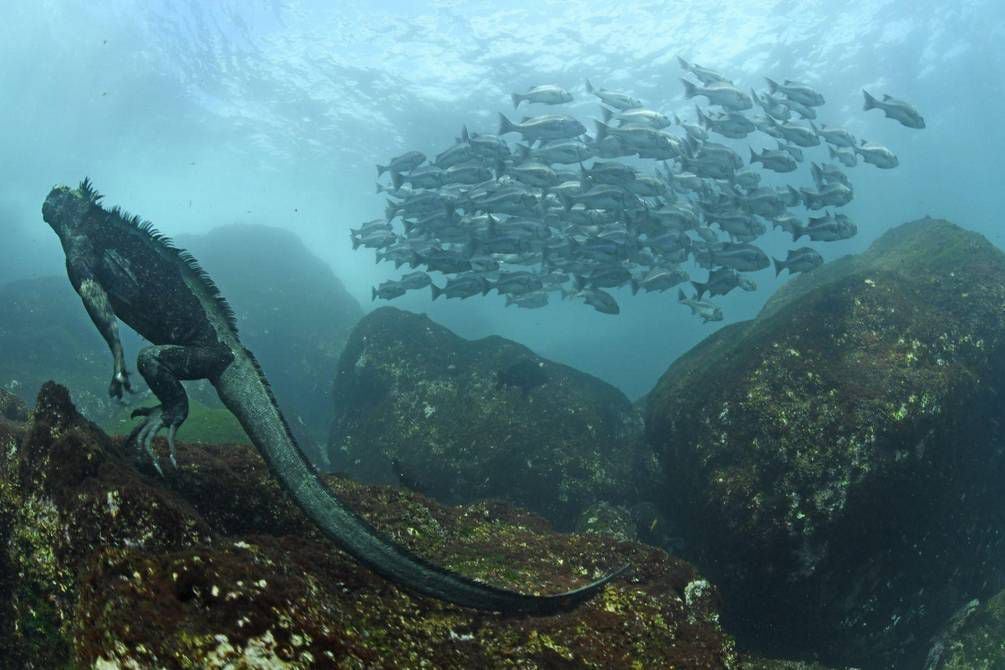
837 465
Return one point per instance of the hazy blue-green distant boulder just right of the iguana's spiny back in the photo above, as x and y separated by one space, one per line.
293 313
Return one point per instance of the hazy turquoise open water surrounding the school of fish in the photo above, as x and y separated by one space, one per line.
197 115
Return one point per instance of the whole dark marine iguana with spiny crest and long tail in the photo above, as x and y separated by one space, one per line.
122 268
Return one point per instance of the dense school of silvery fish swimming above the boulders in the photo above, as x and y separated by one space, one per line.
564 212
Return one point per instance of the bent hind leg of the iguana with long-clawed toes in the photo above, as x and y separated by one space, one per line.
163 368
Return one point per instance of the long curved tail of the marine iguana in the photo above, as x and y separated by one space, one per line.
246 392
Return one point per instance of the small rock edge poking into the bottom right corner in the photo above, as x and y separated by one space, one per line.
974 639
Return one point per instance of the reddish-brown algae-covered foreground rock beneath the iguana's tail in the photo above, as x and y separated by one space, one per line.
108 566
